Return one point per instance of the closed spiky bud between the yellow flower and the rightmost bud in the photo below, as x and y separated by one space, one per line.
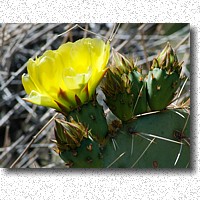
124 88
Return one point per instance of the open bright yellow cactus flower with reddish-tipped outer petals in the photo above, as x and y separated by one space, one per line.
66 77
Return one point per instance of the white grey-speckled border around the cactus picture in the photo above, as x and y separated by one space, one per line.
113 184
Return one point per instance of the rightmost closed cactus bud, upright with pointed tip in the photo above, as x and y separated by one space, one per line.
163 79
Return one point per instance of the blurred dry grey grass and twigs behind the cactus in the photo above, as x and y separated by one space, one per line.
21 121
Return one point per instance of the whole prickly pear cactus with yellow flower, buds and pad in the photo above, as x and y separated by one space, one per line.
136 138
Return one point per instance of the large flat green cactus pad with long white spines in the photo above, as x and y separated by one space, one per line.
152 141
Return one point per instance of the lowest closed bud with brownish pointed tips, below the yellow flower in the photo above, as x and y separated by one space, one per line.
75 145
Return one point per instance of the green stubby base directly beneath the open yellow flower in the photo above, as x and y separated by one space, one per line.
92 116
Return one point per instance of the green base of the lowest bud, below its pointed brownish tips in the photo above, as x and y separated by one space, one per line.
86 156
